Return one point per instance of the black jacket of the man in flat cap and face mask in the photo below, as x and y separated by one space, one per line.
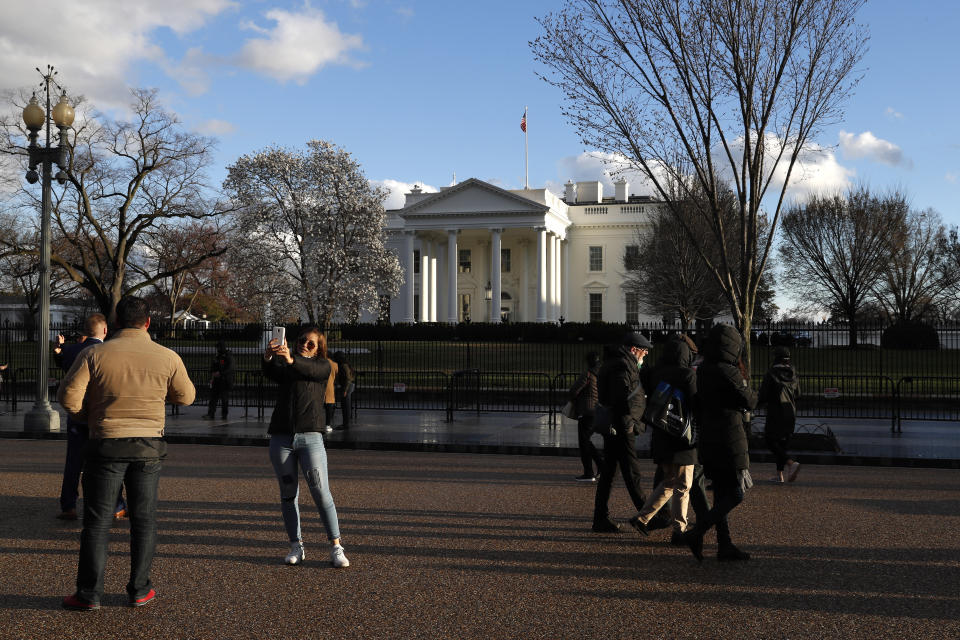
619 388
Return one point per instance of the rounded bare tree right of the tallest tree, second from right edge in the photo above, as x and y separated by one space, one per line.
834 249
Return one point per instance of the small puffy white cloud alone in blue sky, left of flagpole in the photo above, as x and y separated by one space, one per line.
297 46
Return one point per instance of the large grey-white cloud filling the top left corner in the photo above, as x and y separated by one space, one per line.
94 44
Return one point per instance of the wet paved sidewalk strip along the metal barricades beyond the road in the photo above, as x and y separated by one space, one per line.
921 443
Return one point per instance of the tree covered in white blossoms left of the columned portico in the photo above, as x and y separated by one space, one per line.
318 215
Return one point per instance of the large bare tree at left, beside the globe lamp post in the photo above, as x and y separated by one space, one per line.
124 179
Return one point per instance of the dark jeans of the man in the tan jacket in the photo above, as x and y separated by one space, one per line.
102 479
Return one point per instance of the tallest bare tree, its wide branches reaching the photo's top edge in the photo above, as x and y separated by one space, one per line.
708 95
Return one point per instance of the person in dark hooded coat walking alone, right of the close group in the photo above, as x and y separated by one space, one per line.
779 392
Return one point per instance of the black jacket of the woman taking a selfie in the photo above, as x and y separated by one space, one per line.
300 397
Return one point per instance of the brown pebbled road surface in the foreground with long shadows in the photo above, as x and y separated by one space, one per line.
462 545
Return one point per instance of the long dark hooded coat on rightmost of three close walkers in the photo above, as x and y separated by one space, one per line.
723 397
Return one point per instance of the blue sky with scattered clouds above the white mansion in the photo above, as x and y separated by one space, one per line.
420 90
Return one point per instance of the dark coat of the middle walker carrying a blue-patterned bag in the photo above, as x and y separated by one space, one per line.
674 360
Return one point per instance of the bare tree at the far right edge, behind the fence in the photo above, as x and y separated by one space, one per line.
919 272
